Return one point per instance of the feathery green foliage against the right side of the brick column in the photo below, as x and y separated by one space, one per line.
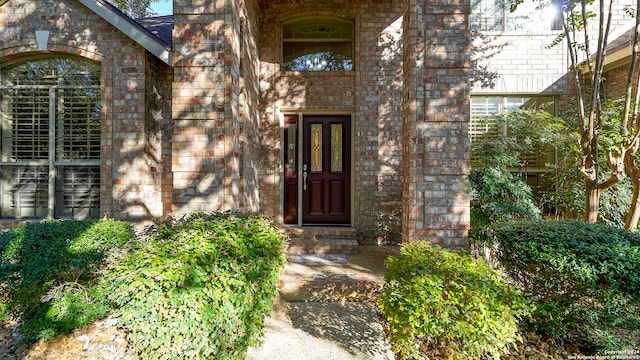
498 192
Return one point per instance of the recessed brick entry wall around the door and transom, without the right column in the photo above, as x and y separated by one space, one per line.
372 94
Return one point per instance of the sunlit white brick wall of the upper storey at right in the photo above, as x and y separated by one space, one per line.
521 62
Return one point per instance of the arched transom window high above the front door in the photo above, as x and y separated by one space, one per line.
317 44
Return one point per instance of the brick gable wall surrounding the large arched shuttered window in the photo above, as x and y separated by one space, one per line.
130 170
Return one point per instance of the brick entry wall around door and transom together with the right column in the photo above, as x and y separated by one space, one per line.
409 107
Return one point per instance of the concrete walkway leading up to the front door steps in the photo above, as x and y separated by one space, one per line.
324 311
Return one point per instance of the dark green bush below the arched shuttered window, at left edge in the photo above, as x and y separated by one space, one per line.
48 269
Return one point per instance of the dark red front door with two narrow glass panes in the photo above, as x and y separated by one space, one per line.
326 169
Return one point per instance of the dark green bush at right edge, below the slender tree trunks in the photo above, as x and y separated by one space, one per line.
583 276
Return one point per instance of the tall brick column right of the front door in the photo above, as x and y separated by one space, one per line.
435 165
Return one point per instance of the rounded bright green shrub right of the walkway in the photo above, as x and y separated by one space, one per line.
449 299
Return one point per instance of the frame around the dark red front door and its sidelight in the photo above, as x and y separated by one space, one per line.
300 146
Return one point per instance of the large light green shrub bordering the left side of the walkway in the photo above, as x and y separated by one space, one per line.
201 287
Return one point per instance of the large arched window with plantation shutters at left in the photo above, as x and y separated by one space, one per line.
50 139
